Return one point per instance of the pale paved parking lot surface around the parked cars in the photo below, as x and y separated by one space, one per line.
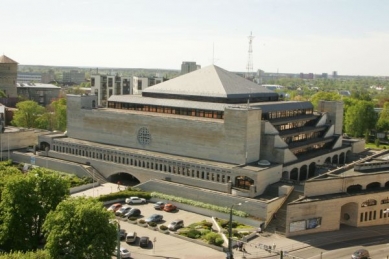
166 245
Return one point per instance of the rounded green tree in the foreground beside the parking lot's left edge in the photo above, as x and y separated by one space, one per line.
80 228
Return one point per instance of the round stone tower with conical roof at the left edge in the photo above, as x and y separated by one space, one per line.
8 76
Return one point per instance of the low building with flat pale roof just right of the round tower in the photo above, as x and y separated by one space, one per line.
43 94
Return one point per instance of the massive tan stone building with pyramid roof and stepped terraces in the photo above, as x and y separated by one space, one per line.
208 135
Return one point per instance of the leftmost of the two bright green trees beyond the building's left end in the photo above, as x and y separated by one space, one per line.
27 114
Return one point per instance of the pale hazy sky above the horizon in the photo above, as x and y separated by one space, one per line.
291 36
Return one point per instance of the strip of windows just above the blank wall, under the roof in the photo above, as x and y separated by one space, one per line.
169 110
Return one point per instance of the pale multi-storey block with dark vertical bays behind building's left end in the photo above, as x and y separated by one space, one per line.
106 85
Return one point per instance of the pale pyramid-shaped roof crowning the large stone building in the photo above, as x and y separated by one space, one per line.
210 81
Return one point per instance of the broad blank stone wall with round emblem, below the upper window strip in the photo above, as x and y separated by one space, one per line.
225 140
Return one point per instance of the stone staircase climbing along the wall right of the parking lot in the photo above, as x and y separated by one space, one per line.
278 224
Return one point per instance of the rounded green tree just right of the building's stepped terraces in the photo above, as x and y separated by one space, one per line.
360 118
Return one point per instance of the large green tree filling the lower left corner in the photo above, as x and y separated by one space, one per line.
26 199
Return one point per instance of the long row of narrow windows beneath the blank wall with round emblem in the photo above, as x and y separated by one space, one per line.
183 169
